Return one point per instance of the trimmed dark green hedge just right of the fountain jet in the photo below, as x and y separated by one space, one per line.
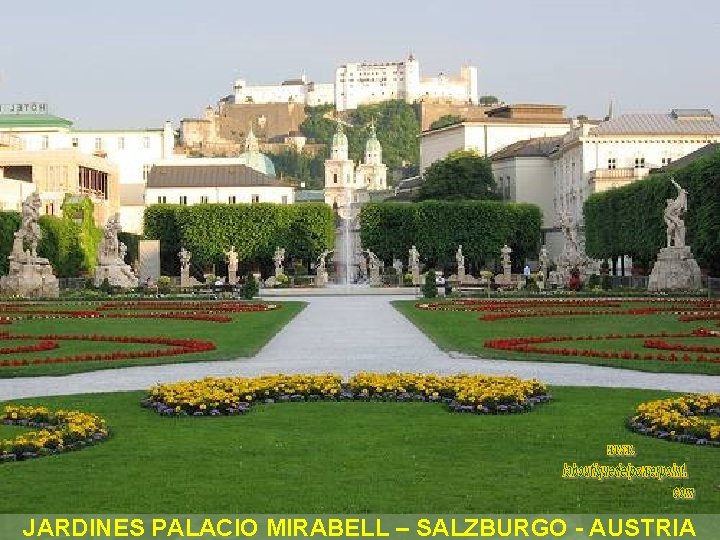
437 227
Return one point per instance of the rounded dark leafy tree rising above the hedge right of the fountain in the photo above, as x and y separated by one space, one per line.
462 175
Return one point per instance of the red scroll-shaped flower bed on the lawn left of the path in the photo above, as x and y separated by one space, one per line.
174 346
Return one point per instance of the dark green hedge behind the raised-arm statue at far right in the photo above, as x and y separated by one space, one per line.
629 220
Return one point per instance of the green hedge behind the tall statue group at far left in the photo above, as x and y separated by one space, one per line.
61 243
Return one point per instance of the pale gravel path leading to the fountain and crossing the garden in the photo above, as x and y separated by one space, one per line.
346 334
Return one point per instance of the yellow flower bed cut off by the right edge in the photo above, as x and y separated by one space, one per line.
686 419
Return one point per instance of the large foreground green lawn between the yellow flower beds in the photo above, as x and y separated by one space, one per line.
359 458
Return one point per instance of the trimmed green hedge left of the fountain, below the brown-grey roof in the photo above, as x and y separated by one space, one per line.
208 231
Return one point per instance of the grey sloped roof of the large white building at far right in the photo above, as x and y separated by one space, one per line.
677 122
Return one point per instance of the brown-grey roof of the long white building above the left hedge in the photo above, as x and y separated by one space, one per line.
190 176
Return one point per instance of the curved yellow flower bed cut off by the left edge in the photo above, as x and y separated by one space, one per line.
58 431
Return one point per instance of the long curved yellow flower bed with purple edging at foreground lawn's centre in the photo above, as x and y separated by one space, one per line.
236 395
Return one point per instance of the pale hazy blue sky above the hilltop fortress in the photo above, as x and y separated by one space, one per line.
138 63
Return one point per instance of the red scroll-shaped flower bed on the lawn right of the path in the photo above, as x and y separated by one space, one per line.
531 345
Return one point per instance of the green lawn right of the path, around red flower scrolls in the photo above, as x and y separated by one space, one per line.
462 331
